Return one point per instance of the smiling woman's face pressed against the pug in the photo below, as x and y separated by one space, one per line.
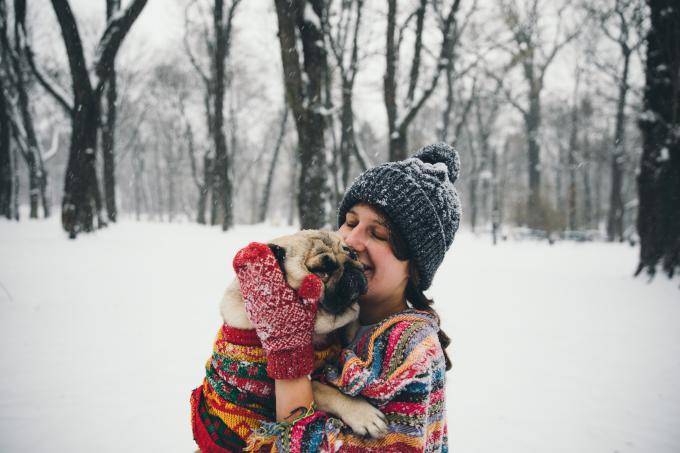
366 232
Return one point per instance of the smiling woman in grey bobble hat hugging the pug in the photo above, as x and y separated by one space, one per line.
401 218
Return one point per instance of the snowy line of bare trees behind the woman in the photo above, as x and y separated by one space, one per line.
176 140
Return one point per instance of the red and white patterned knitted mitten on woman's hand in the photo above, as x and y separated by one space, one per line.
283 319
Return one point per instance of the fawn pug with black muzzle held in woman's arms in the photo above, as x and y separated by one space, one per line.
324 254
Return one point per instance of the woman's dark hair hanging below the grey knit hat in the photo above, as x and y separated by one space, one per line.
414 295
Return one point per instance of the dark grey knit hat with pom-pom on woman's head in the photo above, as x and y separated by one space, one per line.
419 199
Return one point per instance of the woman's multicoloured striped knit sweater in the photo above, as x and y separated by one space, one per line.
399 367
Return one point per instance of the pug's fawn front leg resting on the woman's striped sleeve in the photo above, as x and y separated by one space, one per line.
355 412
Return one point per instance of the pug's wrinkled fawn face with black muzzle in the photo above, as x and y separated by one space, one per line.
324 254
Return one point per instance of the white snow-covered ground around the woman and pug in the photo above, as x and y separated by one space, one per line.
556 349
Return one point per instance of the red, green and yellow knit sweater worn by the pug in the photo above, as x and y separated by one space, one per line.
237 396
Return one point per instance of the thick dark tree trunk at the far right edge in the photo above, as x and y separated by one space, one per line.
658 219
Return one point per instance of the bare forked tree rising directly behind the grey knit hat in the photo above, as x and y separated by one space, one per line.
399 122
